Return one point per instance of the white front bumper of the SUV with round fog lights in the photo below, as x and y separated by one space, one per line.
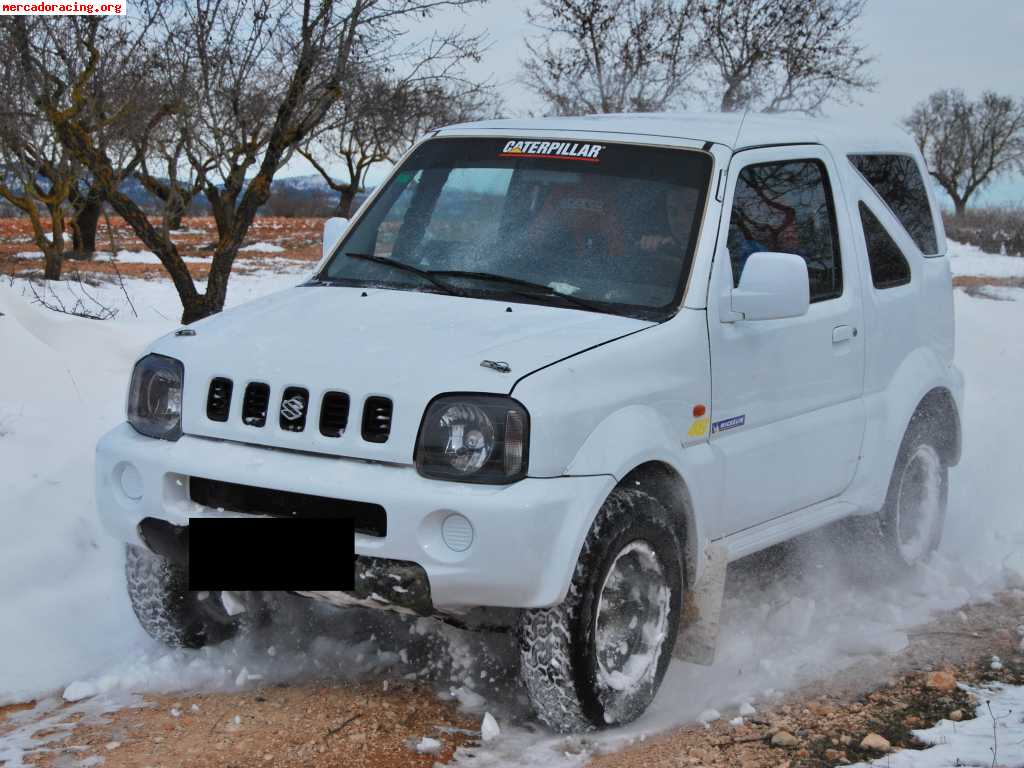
526 537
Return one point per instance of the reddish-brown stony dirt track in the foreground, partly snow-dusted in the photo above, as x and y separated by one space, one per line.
383 723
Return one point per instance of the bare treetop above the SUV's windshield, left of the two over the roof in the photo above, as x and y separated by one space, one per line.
610 56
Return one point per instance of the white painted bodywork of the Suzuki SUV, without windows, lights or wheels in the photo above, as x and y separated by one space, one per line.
606 395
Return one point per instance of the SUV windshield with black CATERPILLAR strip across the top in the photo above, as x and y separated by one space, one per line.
603 227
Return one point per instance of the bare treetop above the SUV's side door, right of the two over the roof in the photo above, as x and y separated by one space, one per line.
782 56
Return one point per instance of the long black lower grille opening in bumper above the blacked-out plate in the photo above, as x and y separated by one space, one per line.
367 519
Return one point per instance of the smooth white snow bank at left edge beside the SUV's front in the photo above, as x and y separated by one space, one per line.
61 579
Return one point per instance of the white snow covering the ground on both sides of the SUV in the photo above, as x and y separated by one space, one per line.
69 627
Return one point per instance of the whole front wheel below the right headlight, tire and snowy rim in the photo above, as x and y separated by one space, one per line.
599 659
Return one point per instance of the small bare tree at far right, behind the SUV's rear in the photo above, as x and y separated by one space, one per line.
968 144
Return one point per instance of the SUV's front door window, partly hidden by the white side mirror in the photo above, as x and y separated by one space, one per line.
787 207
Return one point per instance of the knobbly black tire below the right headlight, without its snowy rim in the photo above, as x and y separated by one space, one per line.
559 654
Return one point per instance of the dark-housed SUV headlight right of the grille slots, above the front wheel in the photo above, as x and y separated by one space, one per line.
475 439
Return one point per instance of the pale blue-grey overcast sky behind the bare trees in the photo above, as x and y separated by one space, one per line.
919 46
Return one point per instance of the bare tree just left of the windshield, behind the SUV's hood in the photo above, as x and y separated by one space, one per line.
381 119
